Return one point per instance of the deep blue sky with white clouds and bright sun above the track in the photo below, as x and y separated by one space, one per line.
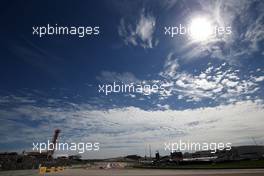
212 87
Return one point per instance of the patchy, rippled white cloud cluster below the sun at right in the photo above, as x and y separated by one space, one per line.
220 83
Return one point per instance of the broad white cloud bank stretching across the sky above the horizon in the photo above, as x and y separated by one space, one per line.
123 131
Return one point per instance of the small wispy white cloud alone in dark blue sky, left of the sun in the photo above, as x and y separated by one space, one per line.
140 34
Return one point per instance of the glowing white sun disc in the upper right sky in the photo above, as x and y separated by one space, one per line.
200 29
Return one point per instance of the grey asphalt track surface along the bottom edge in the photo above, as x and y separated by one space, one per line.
140 172
